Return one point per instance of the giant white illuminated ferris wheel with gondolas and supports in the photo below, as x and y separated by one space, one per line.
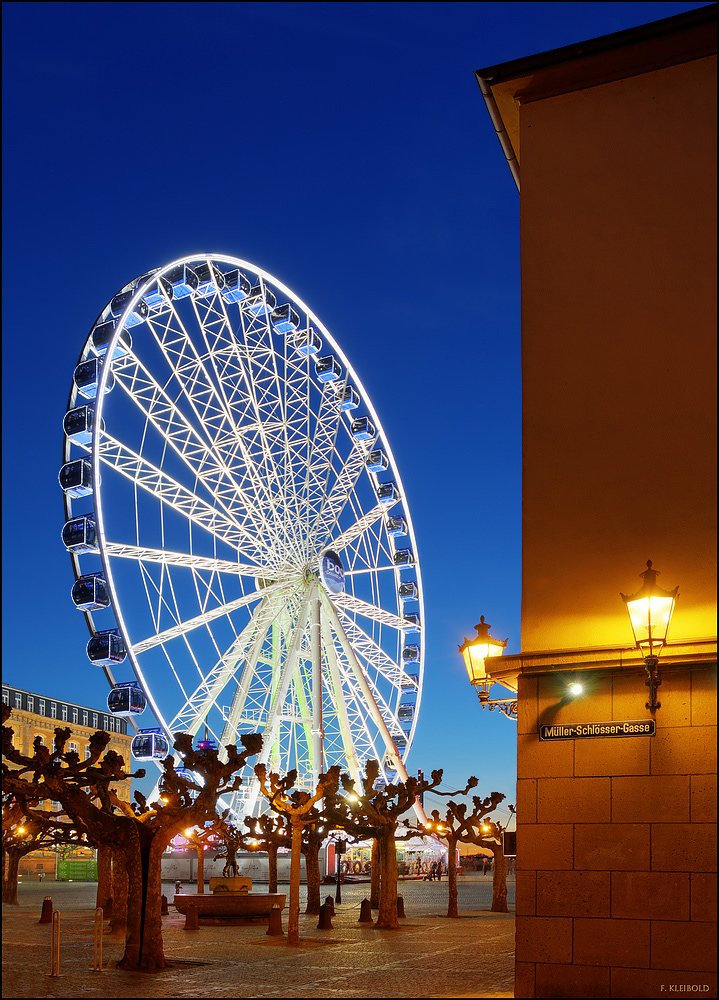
242 548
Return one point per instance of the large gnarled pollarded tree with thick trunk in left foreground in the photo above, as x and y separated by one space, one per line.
141 832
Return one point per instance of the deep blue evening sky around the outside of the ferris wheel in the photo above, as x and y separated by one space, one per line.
346 149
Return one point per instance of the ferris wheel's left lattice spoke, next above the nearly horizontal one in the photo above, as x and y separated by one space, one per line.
168 491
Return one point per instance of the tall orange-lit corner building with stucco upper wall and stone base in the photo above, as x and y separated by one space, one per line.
614 143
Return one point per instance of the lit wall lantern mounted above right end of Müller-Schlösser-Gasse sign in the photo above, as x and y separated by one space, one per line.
650 612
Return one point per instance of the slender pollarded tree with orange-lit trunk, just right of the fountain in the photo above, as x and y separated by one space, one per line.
299 807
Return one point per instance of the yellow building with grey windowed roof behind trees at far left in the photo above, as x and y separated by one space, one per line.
36 715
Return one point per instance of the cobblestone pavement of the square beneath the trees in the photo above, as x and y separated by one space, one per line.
430 956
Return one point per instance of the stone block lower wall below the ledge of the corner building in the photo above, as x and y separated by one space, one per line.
616 840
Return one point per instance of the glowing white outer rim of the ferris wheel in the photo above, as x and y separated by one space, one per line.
140 288
